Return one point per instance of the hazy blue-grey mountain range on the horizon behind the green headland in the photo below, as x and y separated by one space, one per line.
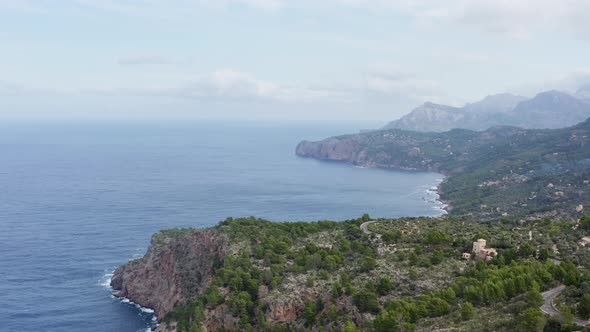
550 109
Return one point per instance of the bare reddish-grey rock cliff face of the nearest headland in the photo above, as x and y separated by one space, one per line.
174 269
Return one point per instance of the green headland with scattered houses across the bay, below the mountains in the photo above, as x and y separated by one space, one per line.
503 171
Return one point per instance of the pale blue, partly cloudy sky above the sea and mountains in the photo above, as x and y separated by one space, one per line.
281 59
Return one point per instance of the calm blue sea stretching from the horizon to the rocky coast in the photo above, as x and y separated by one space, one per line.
79 199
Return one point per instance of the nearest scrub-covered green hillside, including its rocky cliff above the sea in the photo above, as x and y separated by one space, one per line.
406 274
